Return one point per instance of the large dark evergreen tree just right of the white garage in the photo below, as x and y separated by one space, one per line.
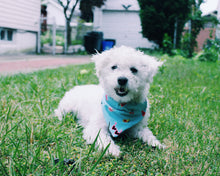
159 17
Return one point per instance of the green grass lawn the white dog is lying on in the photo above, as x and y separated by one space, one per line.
185 101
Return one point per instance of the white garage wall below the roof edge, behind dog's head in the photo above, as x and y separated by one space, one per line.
125 27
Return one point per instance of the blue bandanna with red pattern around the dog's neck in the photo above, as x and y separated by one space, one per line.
122 116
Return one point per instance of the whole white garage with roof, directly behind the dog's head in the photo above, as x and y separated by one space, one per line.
119 20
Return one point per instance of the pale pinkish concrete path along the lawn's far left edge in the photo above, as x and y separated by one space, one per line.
29 63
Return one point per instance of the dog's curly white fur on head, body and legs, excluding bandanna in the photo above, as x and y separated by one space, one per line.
111 65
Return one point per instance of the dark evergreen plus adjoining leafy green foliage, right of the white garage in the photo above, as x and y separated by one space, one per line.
158 19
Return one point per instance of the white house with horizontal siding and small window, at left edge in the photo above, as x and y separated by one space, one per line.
19 25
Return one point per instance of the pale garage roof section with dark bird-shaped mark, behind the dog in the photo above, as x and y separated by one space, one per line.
121 5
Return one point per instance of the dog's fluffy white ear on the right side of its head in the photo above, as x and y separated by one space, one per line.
151 67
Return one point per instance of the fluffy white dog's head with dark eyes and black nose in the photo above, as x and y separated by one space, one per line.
125 73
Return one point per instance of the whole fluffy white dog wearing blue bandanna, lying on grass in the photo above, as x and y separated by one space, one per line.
119 103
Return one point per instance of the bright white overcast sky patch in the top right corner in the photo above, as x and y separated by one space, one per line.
209 6
